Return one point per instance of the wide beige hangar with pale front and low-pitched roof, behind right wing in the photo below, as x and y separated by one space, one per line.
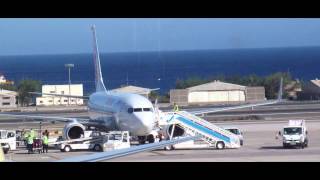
216 92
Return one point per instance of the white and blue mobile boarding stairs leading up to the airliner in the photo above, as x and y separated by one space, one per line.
208 132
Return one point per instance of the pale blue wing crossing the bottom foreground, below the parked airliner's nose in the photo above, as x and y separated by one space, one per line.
127 151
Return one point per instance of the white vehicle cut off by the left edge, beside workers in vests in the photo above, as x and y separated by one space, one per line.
8 140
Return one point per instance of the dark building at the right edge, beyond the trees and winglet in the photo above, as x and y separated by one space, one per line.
310 90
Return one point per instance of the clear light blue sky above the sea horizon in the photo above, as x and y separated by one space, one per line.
67 36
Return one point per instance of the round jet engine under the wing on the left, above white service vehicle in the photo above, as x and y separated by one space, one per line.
73 130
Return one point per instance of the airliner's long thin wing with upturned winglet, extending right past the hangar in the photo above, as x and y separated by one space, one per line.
213 110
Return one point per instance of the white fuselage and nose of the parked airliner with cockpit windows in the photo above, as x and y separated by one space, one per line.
122 111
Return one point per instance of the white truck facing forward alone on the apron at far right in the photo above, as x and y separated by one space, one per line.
295 134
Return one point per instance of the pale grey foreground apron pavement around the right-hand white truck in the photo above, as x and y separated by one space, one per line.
259 145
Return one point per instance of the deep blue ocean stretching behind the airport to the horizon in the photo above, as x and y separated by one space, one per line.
162 69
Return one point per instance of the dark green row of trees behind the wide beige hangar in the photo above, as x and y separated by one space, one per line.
270 82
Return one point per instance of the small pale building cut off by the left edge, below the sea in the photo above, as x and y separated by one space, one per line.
8 98
